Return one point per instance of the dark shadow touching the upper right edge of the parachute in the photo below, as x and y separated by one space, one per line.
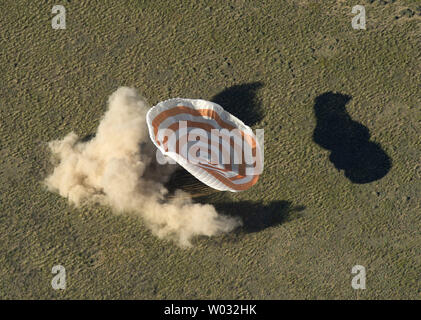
240 100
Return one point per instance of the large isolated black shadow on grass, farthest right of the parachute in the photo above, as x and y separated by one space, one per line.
362 160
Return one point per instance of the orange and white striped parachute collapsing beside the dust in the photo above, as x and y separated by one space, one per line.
210 143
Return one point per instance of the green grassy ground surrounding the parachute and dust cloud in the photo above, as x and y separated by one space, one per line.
315 223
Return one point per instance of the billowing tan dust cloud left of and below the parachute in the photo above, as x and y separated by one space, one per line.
118 168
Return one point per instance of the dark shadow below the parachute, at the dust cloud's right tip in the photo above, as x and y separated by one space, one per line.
256 216
